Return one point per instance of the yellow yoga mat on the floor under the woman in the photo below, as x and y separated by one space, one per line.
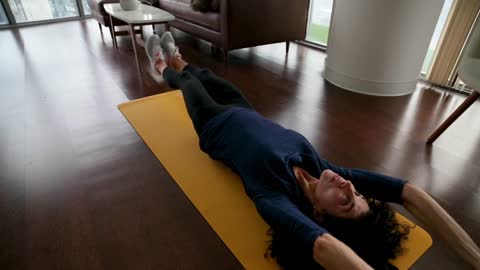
163 123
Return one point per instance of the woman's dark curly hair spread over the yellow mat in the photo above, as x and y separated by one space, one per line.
375 238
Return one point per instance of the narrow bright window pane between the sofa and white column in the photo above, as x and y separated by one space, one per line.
319 21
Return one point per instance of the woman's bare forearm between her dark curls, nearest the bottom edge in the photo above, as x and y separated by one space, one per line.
333 254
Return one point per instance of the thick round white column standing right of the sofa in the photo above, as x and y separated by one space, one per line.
377 47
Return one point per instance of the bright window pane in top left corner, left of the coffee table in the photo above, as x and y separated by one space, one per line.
39 10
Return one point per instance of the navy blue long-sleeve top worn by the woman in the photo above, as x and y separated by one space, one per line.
263 154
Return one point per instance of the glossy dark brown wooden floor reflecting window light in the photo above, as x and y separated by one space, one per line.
80 190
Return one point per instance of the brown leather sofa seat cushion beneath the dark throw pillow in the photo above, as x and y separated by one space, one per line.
183 10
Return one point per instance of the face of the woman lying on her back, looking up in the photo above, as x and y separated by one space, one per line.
337 197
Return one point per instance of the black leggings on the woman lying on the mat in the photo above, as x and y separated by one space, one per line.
205 94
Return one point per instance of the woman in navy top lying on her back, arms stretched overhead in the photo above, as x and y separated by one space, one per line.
320 215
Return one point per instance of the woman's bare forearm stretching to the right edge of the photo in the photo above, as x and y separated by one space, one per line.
427 210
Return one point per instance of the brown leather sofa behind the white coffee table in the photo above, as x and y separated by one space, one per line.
242 23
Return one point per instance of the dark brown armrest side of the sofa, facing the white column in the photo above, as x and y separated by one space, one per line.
248 23
